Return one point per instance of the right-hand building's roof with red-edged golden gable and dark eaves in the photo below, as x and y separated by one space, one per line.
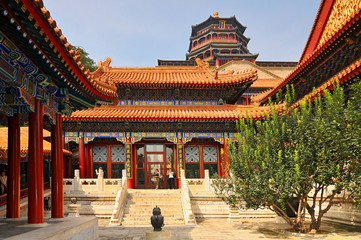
334 57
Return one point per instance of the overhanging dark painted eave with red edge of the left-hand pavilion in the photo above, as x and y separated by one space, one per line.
29 26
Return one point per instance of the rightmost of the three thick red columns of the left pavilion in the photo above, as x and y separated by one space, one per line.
57 170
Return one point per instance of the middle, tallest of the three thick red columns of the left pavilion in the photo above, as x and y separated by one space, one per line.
36 167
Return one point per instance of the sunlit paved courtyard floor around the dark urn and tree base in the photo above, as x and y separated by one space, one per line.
248 228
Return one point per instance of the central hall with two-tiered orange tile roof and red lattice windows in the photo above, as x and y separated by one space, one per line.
167 118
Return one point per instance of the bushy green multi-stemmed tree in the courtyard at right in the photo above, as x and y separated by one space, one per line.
296 162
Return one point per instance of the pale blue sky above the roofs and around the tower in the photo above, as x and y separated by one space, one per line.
138 32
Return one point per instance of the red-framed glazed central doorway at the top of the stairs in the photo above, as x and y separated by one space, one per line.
150 157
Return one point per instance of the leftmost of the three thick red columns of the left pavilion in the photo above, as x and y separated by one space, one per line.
13 197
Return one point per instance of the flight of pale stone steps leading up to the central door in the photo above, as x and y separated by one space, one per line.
140 204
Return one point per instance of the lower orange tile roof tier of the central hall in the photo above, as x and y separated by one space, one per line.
131 112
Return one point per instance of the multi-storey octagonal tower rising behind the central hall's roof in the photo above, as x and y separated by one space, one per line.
219 39
